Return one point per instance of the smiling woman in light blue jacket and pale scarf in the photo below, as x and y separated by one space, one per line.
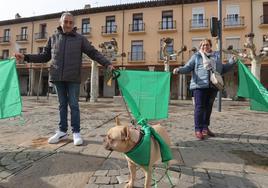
203 90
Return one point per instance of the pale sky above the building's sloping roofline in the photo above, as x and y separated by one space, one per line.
28 8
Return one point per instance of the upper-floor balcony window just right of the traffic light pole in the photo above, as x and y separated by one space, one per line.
232 15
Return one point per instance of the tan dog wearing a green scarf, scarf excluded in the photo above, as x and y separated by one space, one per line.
123 138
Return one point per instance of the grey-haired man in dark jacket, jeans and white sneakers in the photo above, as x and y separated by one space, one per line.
65 49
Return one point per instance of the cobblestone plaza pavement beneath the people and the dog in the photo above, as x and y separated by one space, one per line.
236 157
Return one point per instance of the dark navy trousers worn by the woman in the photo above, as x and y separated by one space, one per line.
204 99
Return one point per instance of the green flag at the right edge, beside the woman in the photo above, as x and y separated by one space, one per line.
250 87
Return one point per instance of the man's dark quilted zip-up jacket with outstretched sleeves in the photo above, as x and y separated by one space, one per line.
65 51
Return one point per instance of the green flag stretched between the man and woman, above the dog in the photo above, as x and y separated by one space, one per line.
146 93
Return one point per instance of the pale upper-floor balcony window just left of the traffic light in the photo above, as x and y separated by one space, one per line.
198 17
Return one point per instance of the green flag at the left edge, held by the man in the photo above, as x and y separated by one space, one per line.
10 99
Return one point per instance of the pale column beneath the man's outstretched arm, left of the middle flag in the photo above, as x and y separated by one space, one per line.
94 87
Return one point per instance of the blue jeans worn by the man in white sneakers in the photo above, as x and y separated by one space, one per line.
68 94
